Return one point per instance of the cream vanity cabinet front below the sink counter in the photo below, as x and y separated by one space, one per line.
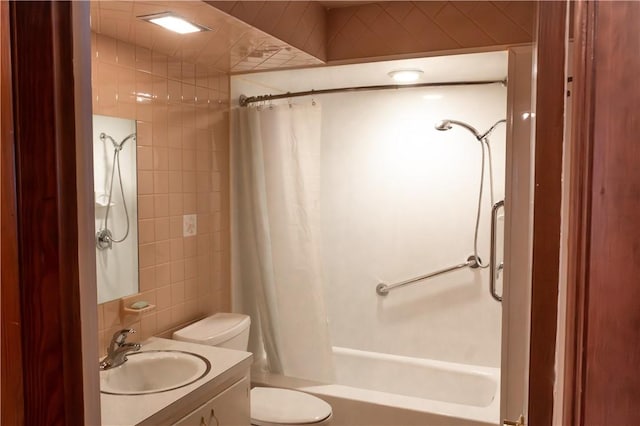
229 408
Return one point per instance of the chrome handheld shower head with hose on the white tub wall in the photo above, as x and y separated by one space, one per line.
483 138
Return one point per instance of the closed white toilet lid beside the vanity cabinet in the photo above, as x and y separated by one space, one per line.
275 406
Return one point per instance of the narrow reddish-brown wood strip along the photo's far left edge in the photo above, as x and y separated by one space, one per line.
12 402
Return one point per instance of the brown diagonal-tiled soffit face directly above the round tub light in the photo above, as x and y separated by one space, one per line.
404 27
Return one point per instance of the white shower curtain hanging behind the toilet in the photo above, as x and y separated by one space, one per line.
276 219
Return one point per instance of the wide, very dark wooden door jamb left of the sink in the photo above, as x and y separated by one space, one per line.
44 125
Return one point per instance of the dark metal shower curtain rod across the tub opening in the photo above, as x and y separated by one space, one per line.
246 100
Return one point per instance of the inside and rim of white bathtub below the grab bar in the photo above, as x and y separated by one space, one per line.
451 390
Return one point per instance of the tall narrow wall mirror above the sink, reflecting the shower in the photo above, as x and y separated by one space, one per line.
116 207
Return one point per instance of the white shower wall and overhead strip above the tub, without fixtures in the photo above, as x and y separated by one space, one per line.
398 200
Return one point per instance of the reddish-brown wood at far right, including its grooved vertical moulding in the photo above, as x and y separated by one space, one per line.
603 386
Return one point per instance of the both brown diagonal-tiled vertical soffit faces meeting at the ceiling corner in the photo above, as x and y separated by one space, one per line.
365 29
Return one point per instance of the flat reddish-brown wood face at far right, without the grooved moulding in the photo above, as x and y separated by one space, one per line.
611 348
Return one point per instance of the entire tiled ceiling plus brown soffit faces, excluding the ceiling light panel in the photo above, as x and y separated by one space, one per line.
262 35
